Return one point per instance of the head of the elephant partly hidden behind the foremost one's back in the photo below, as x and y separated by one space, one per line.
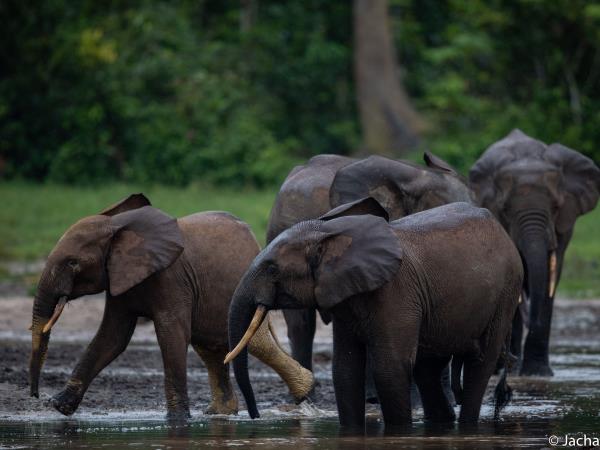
402 188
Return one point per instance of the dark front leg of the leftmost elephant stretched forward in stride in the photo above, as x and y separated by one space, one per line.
110 341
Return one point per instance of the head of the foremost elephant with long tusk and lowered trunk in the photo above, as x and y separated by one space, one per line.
314 264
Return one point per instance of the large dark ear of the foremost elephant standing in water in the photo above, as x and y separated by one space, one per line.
357 254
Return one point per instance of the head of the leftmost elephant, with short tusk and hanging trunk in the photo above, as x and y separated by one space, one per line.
113 251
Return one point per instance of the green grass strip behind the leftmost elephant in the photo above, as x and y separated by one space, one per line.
33 217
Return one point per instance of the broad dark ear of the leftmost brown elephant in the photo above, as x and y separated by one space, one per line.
145 241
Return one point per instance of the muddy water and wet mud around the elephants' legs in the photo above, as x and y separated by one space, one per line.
124 407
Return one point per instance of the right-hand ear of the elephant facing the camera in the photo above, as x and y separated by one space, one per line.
581 184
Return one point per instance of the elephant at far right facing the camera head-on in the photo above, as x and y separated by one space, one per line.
536 191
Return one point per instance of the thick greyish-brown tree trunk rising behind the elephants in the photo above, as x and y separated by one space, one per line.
389 123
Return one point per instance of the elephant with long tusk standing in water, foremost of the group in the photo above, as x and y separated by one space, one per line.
411 293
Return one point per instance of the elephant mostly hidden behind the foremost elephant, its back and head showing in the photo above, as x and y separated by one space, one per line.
327 181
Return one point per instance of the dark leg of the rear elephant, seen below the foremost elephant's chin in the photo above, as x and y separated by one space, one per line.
301 325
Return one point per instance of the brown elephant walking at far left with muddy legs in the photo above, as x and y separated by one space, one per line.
179 273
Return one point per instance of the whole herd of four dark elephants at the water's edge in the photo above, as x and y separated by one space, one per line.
417 268
